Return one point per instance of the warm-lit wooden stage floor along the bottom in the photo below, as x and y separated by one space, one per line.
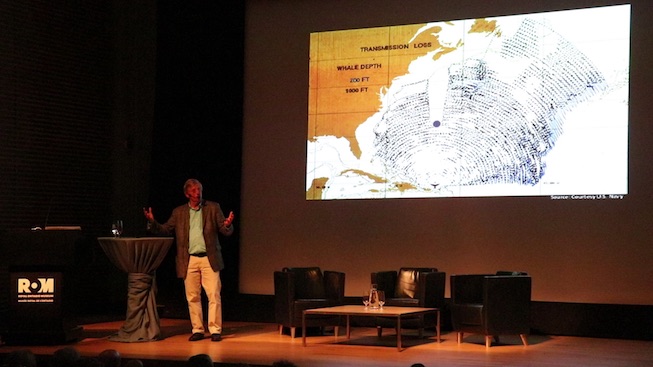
261 344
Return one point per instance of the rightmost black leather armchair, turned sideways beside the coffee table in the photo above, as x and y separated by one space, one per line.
491 305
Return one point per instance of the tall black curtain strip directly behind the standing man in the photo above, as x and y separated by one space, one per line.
198 122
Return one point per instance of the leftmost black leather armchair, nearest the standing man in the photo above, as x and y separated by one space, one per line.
299 289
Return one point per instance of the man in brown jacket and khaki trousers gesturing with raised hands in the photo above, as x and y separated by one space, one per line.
199 258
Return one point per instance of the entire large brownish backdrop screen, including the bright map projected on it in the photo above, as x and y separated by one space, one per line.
470 136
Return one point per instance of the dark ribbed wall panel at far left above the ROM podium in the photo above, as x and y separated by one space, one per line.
55 114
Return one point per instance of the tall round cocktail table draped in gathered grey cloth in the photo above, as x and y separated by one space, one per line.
139 258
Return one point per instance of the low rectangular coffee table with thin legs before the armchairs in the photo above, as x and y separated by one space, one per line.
386 311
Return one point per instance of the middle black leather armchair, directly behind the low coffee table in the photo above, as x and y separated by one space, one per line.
410 287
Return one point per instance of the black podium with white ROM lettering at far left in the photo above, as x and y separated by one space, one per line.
37 263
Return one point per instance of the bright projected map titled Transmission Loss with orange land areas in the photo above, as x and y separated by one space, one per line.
526 105
